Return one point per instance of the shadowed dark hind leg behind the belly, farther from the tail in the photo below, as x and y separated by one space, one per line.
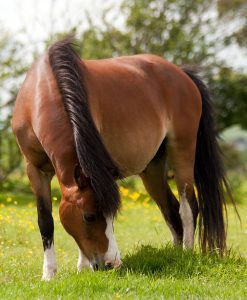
154 180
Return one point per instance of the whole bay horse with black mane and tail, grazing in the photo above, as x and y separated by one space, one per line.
92 122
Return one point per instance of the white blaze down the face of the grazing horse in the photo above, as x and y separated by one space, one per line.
112 255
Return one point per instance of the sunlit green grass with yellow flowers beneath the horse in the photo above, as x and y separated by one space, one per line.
152 269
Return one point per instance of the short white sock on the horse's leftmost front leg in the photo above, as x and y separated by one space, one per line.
50 265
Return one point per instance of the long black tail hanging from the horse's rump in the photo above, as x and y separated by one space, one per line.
210 177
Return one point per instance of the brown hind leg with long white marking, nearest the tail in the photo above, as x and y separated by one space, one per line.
182 155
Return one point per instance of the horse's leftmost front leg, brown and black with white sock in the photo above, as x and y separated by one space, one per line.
41 185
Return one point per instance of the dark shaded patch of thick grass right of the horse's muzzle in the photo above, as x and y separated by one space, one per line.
174 262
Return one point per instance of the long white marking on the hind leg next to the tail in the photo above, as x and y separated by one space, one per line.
187 221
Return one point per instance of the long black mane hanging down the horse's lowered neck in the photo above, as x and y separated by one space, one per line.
93 157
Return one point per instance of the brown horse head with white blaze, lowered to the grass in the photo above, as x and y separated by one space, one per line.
89 226
